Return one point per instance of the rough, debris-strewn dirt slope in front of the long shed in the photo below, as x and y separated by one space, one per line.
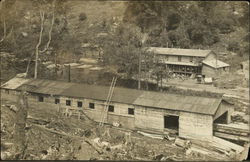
51 136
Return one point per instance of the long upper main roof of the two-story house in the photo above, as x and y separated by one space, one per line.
179 52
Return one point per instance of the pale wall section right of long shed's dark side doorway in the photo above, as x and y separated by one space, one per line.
193 125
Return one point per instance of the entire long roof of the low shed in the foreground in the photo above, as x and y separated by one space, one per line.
193 104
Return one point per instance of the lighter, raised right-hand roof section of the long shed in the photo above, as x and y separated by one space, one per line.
194 104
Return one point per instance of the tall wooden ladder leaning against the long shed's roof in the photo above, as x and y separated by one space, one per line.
106 105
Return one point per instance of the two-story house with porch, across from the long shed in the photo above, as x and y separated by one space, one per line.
190 61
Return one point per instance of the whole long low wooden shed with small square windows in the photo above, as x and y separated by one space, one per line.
189 116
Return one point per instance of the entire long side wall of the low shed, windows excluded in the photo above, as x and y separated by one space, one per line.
191 125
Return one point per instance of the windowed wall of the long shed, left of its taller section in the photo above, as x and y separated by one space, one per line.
120 114
